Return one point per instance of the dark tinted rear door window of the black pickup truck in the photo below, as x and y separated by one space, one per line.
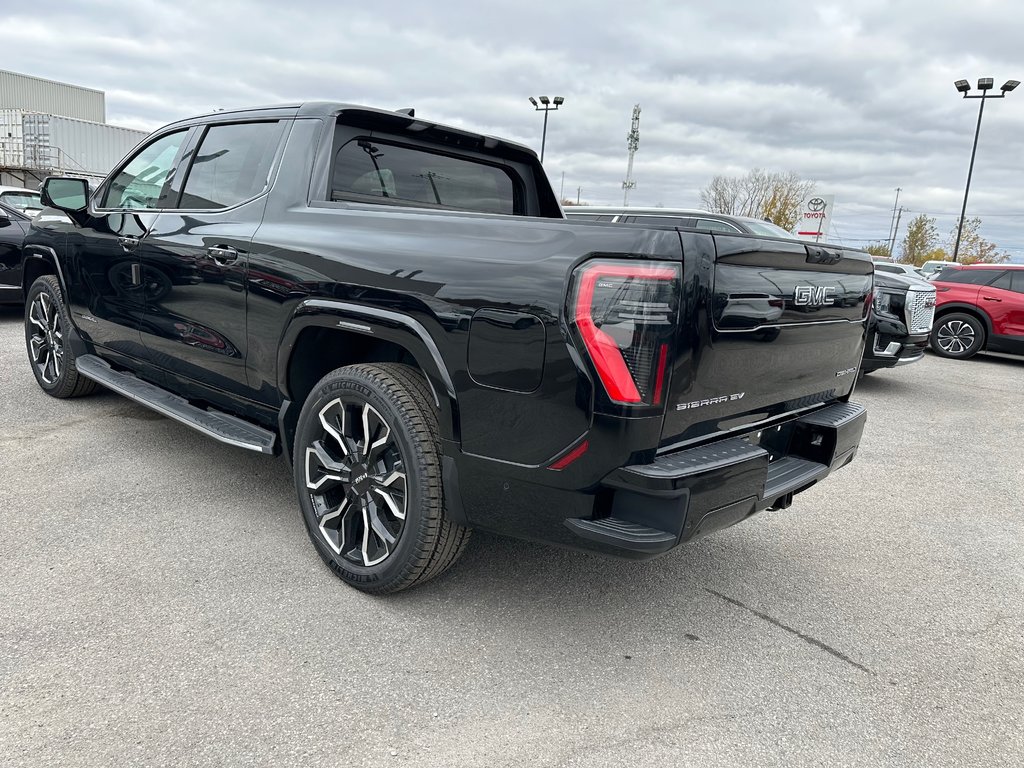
232 165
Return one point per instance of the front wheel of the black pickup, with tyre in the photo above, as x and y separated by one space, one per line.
47 329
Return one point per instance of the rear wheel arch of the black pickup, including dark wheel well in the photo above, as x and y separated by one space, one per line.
357 334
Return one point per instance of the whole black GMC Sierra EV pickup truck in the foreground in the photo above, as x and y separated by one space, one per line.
401 310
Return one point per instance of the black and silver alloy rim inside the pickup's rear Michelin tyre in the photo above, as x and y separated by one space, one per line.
356 477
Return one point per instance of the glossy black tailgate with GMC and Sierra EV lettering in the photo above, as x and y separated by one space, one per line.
777 327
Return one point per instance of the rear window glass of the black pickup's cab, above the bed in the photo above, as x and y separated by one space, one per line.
412 176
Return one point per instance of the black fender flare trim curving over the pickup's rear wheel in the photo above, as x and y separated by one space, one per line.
380 324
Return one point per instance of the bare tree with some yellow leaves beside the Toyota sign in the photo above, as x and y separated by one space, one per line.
776 197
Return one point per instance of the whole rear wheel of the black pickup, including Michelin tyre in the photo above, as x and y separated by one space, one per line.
368 473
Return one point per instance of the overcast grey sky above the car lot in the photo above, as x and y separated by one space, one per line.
858 97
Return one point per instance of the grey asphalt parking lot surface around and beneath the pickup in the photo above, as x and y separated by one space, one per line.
161 605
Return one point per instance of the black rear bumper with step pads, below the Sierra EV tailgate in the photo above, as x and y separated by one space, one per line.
693 493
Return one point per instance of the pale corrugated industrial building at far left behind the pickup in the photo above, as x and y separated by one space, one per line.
49 127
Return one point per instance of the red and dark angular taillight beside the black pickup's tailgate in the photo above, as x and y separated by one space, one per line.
626 317
